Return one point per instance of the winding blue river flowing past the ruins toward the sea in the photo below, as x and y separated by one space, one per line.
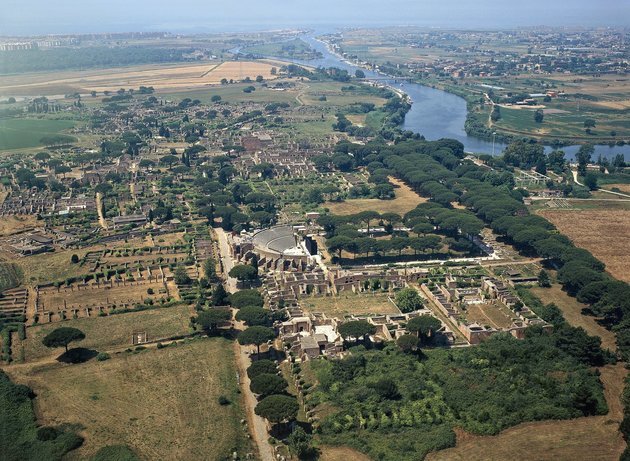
436 113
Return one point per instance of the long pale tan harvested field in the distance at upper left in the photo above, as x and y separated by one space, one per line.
159 77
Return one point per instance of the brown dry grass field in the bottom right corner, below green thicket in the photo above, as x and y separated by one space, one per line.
593 438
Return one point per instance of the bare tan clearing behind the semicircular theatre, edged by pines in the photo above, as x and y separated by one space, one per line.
406 200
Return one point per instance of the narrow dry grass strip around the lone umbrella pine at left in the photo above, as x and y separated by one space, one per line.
109 332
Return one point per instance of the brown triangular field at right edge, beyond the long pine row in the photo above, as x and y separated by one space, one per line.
604 232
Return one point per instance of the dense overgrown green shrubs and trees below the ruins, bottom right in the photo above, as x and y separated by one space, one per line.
392 406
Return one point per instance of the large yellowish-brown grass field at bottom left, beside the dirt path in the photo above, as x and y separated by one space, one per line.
163 403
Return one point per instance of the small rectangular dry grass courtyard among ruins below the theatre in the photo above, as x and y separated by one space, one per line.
350 303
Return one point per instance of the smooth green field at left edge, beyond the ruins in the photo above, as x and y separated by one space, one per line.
20 133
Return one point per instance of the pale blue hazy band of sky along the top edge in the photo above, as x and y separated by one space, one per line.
67 16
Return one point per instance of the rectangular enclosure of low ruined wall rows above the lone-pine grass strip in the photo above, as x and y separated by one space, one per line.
90 299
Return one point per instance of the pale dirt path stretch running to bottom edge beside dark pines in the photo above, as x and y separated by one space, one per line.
257 425
